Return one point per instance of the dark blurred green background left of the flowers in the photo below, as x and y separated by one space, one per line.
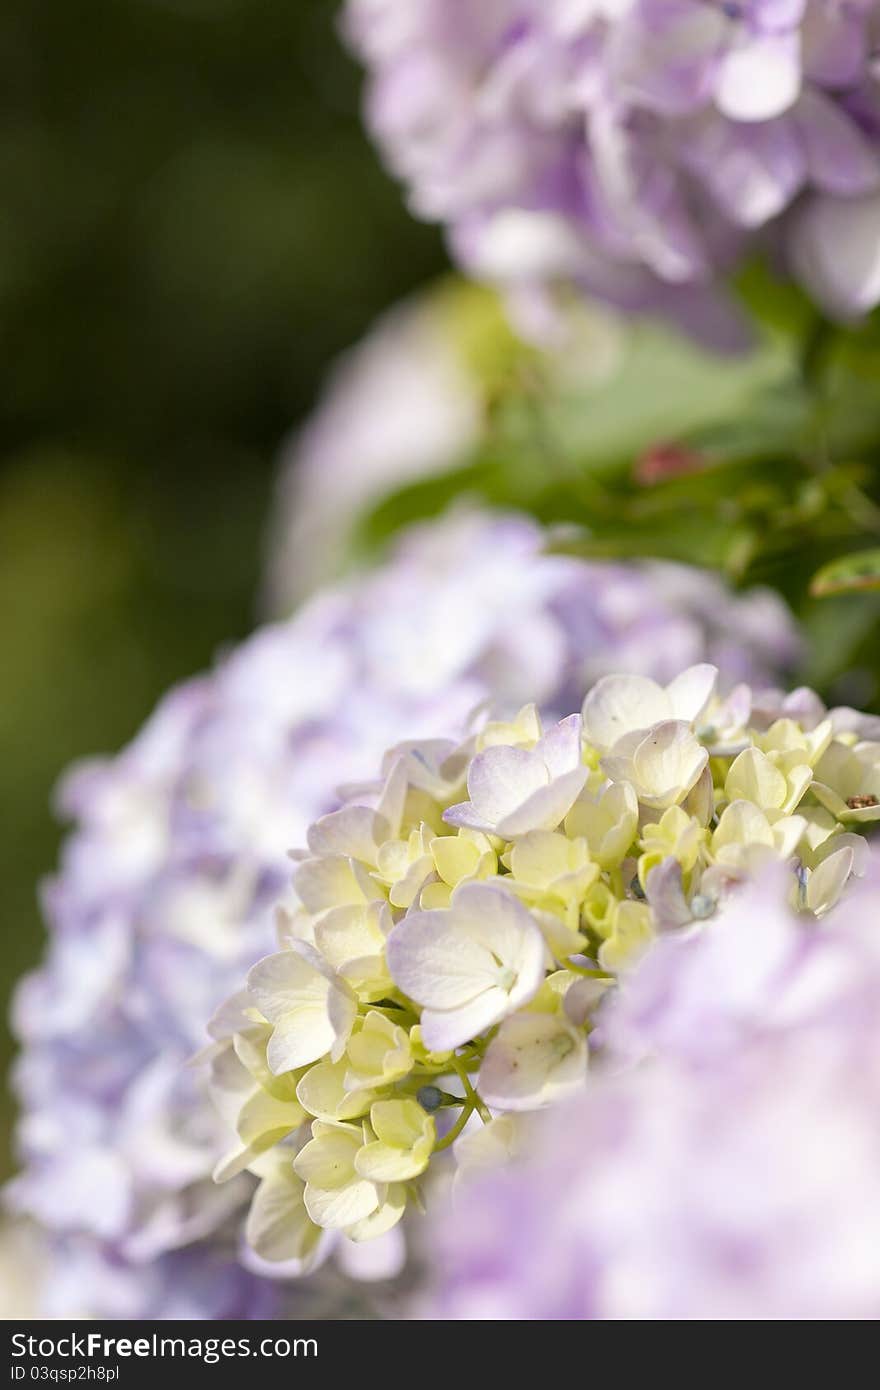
193 226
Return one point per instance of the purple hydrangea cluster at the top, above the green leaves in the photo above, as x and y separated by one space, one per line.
637 148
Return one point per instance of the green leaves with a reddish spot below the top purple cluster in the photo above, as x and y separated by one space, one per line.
764 466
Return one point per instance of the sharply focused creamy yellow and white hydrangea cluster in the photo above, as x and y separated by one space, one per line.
457 925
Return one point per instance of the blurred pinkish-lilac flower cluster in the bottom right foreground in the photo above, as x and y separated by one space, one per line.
735 1172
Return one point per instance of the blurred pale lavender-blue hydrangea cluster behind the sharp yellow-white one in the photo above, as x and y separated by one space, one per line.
166 889
